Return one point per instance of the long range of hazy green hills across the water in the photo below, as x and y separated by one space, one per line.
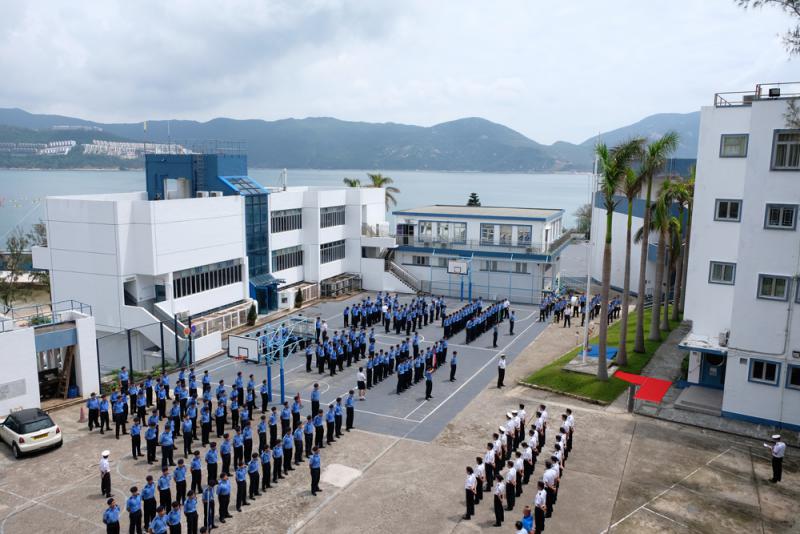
469 144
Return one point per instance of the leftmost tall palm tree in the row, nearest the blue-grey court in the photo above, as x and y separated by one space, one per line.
613 169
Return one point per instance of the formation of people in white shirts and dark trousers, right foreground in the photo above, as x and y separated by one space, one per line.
504 469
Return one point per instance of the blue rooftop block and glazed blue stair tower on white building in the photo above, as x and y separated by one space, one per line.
226 173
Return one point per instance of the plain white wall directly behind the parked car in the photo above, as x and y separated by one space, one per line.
19 382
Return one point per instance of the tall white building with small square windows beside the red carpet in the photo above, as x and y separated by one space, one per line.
743 293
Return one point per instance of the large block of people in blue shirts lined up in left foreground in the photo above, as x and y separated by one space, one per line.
238 462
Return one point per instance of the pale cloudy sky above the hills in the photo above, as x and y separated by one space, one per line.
551 70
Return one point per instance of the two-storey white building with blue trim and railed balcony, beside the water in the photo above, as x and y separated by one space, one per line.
505 252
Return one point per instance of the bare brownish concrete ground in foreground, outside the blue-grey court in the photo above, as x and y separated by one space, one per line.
627 473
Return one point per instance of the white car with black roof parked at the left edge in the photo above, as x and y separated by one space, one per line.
30 430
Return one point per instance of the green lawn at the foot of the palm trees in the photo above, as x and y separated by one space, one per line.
553 377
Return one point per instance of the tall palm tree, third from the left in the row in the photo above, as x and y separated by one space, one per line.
653 159
